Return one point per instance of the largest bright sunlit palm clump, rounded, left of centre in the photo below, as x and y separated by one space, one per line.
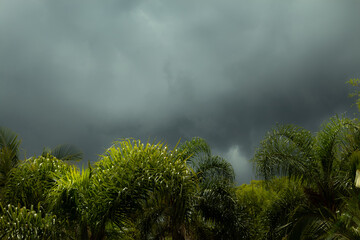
130 180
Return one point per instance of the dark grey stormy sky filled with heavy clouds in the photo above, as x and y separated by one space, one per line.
90 72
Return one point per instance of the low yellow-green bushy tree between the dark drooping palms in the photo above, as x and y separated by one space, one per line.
267 205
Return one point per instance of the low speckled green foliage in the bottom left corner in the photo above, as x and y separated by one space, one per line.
22 223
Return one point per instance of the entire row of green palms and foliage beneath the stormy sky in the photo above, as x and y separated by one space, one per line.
147 191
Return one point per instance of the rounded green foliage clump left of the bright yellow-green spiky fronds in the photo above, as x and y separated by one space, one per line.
31 180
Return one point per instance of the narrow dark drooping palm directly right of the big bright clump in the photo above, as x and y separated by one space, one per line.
215 198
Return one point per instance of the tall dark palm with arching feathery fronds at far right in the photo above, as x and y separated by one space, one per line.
324 163
